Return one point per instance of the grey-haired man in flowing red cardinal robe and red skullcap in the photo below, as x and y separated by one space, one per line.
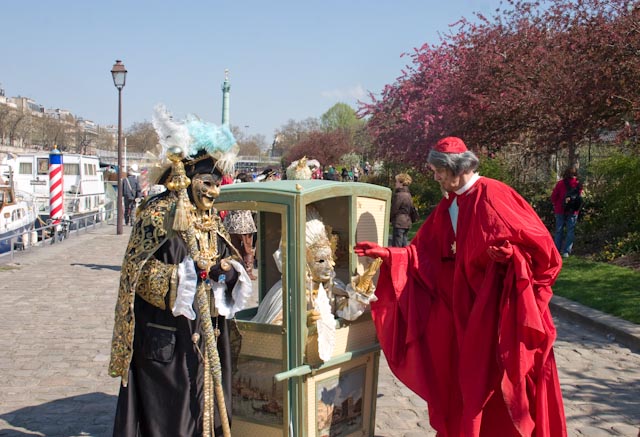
462 312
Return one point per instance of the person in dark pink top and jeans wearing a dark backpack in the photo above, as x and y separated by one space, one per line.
567 201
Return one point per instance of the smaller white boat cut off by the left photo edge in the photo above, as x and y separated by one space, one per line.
17 213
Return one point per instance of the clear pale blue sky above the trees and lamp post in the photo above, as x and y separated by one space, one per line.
287 59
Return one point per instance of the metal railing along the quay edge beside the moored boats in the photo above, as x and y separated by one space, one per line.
51 233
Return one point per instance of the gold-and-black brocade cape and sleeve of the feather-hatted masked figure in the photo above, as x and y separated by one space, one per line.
145 275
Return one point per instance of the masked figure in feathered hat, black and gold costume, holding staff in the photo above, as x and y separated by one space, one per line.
180 286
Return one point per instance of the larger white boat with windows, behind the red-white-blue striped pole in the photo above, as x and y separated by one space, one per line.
83 184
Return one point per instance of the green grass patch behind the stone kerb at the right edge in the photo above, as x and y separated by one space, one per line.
604 287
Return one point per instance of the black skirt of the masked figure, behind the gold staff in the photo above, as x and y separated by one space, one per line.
164 396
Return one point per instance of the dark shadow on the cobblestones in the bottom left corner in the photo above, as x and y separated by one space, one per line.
84 415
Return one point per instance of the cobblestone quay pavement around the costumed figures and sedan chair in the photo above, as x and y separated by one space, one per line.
55 331
